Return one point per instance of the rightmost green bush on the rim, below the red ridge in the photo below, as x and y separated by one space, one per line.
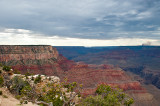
107 96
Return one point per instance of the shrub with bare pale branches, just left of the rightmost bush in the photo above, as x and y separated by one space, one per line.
54 93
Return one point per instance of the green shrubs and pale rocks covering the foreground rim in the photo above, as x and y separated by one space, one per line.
46 92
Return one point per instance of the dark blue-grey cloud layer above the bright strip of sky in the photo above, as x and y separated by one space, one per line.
91 19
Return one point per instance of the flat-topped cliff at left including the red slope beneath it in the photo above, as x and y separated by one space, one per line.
35 59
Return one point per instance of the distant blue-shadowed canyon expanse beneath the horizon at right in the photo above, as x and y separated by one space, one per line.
142 60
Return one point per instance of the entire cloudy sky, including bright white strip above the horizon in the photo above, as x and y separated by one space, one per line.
80 22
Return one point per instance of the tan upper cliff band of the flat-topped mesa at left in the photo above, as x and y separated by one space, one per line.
8 53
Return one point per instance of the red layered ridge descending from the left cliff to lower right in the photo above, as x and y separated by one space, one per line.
93 75
